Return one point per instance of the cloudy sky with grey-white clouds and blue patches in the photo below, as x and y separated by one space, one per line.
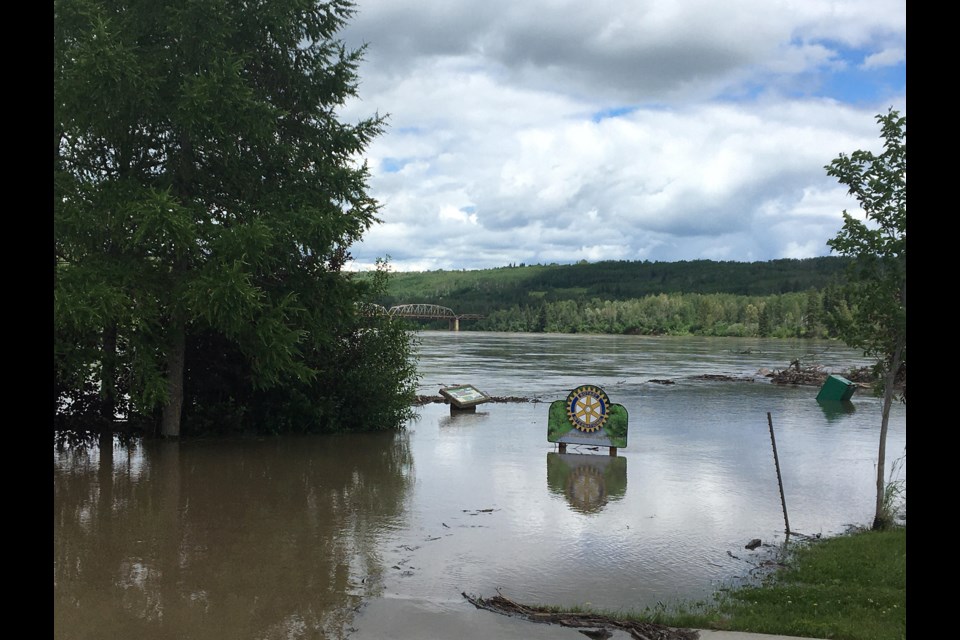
554 131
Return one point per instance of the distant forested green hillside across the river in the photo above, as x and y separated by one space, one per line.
778 298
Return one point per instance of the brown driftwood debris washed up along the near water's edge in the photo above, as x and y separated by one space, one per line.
590 624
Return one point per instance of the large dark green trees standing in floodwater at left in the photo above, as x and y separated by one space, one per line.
206 195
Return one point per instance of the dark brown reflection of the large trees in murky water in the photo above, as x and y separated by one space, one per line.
239 539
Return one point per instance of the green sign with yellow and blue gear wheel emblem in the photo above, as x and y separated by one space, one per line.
588 417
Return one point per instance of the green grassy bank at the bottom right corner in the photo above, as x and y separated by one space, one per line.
850 587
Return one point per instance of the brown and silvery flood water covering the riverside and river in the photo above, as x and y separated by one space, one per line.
380 535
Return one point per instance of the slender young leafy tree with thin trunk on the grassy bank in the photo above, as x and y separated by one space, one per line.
877 322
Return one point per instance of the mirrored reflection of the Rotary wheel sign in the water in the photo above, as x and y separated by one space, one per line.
587 482
